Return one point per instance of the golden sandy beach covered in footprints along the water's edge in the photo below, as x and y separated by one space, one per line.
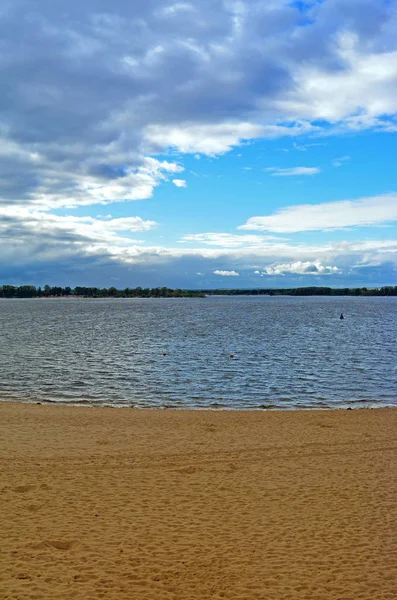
183 505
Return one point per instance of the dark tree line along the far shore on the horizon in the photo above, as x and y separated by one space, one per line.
30 291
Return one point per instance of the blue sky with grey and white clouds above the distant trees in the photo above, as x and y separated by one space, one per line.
202 144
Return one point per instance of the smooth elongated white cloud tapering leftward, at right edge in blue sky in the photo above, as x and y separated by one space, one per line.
375 210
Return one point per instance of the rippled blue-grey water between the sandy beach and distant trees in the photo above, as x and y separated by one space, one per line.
288 352
